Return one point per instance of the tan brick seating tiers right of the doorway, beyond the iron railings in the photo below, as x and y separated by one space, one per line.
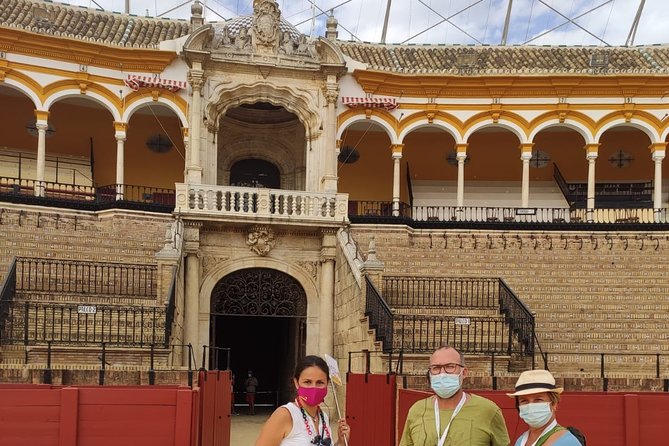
593 293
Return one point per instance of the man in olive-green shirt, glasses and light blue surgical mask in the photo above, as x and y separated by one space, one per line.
451 416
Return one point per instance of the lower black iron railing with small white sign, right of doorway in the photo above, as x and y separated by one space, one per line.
425 334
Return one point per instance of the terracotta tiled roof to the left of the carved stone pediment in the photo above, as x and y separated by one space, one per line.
89 24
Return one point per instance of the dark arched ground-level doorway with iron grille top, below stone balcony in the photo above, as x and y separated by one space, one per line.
260 315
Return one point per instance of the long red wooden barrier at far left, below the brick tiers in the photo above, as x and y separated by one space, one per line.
97 416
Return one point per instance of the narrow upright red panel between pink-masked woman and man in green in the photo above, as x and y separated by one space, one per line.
370 409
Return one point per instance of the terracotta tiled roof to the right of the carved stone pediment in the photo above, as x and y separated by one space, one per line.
500 60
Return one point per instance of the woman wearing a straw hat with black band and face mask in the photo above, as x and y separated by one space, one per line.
537 398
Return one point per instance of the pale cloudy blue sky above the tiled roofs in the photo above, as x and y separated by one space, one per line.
536 22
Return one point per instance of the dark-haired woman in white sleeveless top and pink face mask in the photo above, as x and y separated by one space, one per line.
302 422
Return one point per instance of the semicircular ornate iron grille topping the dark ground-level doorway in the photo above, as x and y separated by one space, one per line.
259 292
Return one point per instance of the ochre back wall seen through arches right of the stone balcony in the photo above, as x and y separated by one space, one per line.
494 156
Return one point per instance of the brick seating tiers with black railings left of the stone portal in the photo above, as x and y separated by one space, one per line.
86 259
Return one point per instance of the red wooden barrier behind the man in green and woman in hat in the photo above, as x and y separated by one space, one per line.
607 419
